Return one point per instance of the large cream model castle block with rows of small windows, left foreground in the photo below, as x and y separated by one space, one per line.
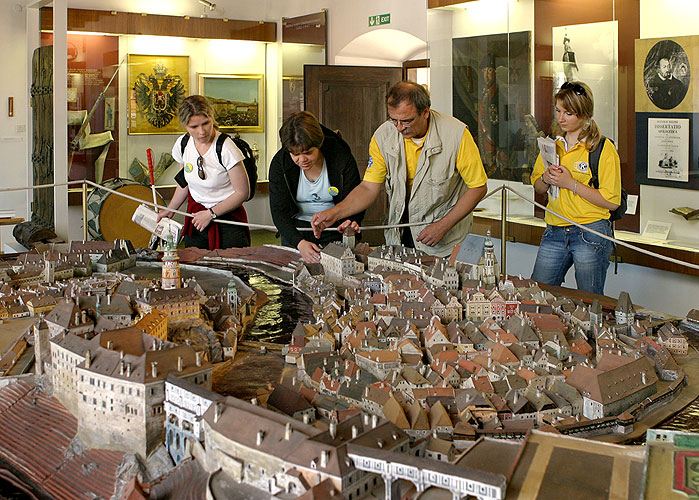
115 385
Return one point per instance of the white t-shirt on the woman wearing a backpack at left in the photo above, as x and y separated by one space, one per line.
217 185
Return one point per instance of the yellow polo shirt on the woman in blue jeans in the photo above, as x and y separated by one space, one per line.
576 160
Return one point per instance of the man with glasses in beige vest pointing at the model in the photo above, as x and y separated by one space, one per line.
431 169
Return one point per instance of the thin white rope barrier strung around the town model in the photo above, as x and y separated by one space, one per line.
366 228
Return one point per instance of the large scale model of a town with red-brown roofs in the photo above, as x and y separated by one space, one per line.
419 377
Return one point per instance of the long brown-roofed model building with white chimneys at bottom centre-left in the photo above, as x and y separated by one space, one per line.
279 454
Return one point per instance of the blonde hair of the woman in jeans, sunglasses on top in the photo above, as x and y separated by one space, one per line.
576 98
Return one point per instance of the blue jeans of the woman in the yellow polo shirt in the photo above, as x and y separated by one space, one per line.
563 246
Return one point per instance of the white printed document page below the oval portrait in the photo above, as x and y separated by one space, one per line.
668 149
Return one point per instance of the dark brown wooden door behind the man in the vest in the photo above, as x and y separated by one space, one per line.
351 99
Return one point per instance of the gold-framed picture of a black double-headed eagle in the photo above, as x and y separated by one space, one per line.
157 86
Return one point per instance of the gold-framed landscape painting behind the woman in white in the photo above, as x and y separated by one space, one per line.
238 100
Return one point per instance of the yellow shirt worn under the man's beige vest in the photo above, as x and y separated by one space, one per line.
467 156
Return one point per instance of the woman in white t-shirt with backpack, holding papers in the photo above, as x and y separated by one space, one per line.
212 190
